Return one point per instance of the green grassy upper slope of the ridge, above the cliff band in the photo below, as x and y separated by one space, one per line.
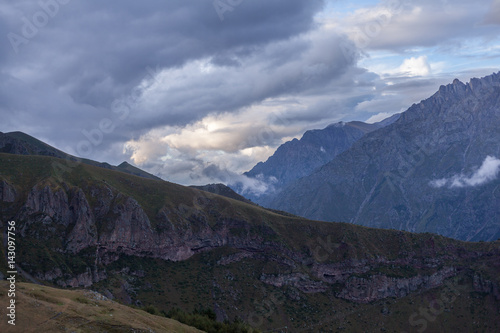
293 232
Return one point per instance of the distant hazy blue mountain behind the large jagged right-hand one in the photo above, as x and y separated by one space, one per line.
298 158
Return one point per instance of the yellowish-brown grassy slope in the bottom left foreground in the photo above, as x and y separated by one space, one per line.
46 309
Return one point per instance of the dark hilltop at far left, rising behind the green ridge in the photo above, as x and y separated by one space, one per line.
24 144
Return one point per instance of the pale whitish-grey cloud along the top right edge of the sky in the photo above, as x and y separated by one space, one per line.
403 25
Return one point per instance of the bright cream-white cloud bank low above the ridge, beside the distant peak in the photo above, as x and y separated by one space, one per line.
217 149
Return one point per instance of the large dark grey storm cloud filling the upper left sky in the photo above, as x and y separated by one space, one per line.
70 68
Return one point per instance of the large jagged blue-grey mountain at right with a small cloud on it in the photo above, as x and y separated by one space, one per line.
433 170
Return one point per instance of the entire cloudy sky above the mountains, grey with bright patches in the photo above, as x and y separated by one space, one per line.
199 91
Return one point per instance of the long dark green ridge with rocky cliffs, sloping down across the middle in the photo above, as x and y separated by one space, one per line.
153 243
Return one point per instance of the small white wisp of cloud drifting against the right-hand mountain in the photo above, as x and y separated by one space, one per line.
486 173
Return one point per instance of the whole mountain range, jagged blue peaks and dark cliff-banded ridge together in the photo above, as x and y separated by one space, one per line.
172 249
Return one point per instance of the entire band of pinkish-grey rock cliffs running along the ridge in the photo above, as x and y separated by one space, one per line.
109 223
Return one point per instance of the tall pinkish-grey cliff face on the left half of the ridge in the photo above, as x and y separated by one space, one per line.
123 225
